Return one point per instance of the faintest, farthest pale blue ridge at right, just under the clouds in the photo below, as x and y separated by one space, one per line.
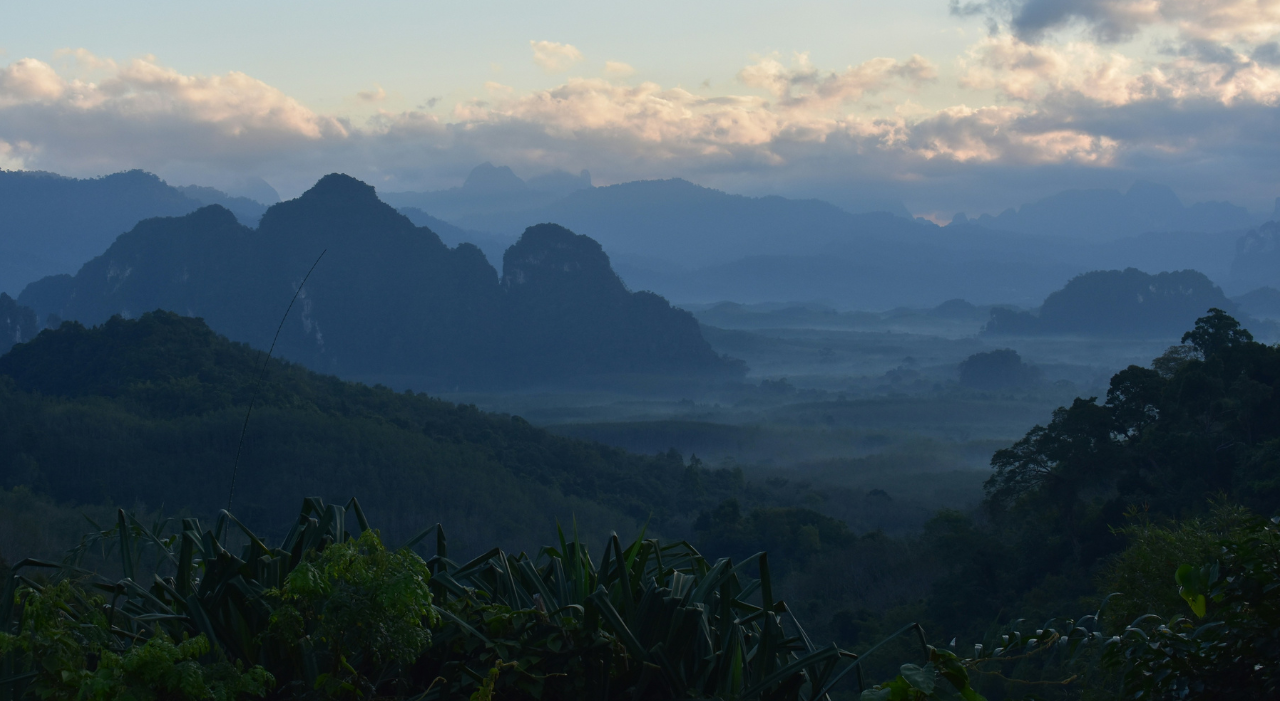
1108 214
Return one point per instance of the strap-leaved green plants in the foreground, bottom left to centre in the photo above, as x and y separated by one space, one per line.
335 615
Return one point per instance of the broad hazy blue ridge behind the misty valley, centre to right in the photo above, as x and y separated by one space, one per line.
698 245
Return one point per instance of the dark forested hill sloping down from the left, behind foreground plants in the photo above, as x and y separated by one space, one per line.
149 413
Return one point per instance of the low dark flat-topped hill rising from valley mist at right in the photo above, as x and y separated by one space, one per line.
1127 304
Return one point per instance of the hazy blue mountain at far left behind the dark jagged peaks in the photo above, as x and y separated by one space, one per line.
54 224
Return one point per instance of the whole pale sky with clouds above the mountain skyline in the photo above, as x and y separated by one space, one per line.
947 106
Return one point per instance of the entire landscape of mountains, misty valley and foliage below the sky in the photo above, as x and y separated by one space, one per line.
636 442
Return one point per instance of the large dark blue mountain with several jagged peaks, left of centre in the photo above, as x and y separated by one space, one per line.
388 300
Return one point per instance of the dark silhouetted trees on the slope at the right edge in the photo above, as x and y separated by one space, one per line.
1165 442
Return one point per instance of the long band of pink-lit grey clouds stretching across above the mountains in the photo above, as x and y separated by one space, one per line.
1072 114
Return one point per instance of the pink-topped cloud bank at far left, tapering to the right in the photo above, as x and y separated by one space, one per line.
141 114
